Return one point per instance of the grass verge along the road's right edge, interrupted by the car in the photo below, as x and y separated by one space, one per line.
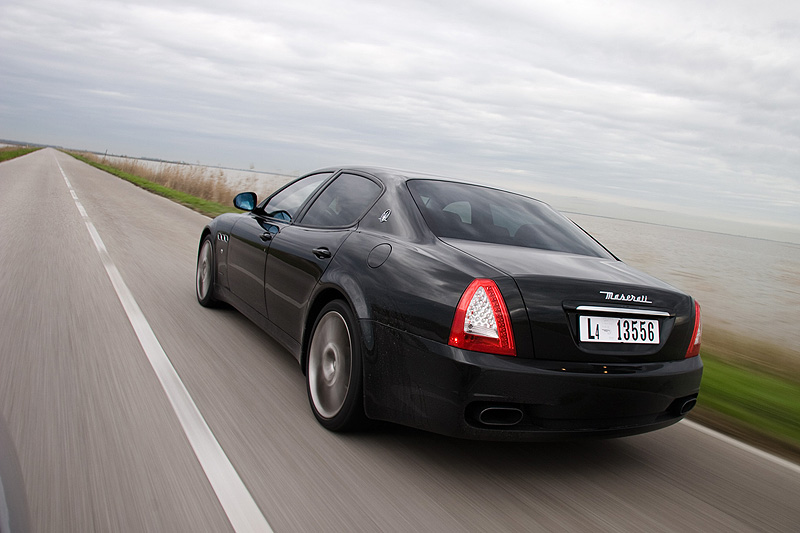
749 399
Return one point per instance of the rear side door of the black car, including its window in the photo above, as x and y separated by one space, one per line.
300 253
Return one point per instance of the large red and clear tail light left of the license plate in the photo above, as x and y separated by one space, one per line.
482 322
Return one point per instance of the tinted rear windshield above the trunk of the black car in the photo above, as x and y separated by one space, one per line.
475 213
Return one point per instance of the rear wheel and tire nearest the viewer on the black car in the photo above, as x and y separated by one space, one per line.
333 369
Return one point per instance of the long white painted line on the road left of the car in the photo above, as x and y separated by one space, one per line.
242 511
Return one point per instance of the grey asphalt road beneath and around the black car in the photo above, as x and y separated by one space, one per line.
101 448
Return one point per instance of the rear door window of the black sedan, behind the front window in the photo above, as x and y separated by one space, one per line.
343 202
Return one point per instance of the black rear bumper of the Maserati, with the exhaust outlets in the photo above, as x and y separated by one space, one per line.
425 384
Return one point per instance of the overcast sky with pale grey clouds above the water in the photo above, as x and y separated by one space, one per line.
685 107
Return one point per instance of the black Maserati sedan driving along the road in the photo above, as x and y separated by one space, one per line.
455 308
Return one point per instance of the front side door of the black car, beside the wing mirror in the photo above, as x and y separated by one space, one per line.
252 235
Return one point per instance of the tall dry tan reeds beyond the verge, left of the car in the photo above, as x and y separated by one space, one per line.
203 182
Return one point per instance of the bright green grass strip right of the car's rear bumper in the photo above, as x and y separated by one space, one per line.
758 400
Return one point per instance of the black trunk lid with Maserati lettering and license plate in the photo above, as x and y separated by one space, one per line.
592 309
